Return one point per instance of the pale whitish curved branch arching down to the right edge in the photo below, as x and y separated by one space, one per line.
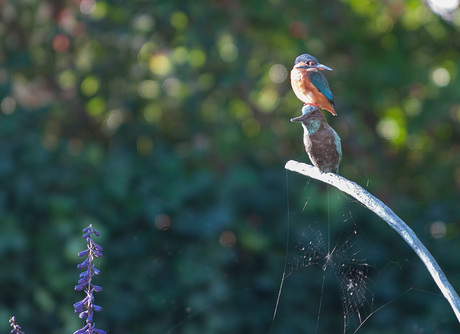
384 212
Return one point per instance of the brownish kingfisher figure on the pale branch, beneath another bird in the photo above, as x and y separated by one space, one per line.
321 142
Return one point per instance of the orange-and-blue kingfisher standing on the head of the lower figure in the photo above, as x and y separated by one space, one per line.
311 86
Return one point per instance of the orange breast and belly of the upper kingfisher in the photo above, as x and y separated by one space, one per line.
307 92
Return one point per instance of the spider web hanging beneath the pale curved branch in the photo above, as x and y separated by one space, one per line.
331 245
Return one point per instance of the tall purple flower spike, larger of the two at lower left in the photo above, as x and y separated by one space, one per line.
86 307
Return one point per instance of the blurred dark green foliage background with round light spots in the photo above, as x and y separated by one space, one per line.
131 114
